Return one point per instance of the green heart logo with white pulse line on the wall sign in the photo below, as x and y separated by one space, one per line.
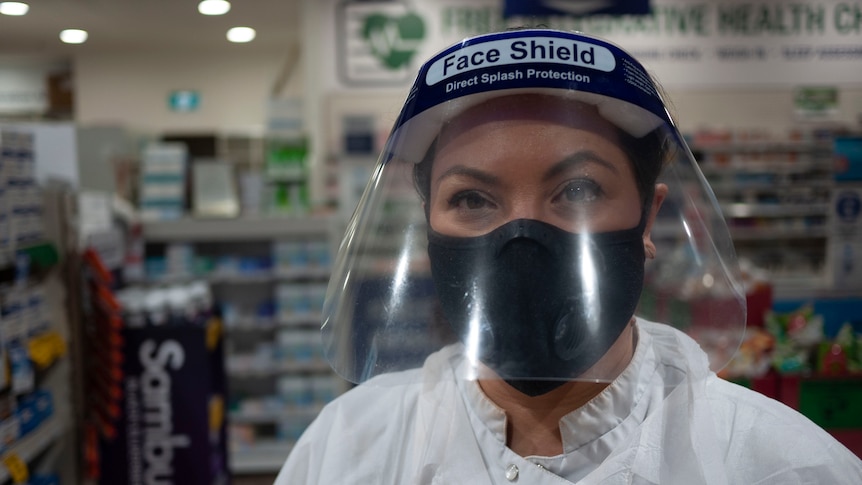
393 40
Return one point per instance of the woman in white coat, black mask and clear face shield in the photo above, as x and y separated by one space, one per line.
536 155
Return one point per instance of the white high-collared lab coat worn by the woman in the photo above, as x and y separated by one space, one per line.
666 419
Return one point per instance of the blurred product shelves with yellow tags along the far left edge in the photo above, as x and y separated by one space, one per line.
37 397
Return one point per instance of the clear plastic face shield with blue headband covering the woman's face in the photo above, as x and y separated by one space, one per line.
533 197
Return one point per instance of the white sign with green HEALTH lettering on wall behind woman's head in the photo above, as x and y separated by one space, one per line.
683 42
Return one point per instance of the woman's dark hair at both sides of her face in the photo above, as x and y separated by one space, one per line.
647 156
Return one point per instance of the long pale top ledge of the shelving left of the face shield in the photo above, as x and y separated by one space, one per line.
233 230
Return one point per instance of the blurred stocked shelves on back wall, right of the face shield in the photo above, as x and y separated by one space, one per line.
775 196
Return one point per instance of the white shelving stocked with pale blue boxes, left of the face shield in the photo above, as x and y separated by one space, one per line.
277 378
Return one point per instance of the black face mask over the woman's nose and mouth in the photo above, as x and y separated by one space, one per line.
548 303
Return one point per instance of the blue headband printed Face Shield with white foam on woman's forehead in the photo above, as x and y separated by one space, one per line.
571 65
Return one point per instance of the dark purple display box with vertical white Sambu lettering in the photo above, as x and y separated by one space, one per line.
171 425
